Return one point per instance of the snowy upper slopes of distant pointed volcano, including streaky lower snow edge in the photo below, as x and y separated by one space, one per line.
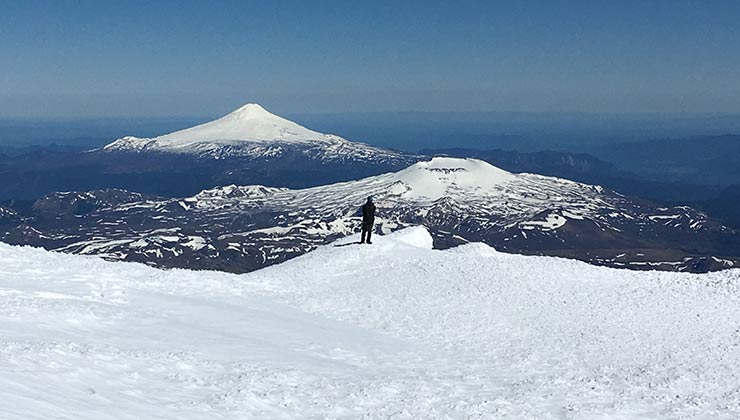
249 131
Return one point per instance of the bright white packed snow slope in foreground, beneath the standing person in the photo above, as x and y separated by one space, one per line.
394 330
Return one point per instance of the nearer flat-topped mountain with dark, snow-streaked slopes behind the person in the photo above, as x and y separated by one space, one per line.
242 228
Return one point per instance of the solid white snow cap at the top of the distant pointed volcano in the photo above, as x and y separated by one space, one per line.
251 122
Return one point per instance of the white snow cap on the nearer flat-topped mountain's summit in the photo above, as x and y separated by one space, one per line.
442 175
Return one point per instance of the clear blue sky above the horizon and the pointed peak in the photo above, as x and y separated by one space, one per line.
153 58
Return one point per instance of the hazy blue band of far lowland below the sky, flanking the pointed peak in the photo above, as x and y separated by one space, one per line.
410 131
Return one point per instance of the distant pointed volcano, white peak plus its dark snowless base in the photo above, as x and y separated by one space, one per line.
249 146
